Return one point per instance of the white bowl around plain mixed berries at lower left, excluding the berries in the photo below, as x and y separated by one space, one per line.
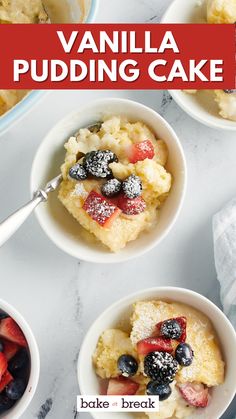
19 408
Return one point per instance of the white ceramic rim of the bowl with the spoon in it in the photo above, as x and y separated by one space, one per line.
118 257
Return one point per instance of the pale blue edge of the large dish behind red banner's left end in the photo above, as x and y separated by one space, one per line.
27 103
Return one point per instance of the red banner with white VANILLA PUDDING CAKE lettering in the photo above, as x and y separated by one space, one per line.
112 56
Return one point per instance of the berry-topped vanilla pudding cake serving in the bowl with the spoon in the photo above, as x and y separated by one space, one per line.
115 180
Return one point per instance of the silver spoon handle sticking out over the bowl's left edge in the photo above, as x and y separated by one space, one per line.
9 226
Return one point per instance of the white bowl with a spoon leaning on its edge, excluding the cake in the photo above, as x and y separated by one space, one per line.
59 225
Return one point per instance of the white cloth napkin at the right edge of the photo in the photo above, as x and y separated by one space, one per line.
224 231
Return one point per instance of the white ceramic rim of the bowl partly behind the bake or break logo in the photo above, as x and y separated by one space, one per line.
147 294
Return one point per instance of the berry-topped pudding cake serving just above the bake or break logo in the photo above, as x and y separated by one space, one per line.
171 350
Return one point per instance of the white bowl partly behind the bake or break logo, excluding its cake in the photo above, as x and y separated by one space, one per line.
120 311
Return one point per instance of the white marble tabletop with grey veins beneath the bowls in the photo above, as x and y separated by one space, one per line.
61 296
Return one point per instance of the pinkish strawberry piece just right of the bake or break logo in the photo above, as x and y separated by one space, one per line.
196 395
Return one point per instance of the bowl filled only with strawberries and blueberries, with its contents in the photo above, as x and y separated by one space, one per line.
19 363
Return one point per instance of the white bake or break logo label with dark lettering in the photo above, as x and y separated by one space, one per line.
118 404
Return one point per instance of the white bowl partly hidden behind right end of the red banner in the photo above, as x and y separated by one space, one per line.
201 106
